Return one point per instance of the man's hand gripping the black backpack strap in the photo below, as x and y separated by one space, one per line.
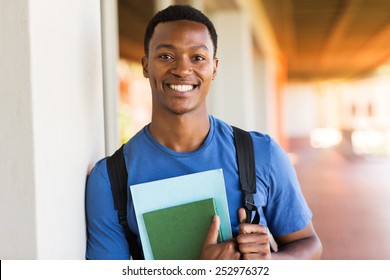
253 240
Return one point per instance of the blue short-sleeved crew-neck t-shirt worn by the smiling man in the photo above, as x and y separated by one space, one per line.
281 205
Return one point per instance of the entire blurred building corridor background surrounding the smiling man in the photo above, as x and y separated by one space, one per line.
315 75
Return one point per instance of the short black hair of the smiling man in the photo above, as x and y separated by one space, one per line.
179 12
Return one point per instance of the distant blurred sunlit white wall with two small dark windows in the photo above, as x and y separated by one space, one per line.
329 104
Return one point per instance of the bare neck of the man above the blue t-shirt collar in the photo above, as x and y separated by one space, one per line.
181 133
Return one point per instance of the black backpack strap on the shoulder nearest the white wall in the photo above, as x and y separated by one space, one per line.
117 172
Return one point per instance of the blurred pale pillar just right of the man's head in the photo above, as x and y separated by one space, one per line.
232 94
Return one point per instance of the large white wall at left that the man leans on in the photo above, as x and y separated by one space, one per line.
54 122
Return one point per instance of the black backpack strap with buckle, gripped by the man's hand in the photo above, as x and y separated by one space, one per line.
246 172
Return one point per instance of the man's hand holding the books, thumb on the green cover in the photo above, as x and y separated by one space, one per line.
211 250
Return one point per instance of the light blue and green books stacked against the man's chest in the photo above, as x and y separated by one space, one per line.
174 215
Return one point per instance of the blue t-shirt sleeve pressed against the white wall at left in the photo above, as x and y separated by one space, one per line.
105 236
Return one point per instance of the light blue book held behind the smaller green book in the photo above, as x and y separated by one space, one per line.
161 194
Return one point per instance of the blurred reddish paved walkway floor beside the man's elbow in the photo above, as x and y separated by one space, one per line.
350 200
